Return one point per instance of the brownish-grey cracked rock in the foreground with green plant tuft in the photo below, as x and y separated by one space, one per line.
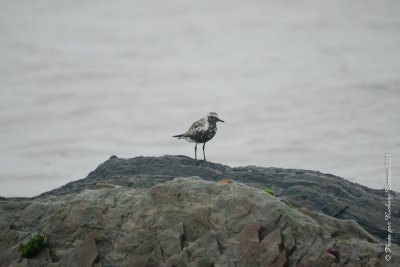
183 222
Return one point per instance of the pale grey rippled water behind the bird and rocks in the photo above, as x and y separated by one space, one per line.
300 84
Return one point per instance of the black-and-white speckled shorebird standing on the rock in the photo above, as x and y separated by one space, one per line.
201 131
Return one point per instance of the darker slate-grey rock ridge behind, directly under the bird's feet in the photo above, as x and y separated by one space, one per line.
324 193
